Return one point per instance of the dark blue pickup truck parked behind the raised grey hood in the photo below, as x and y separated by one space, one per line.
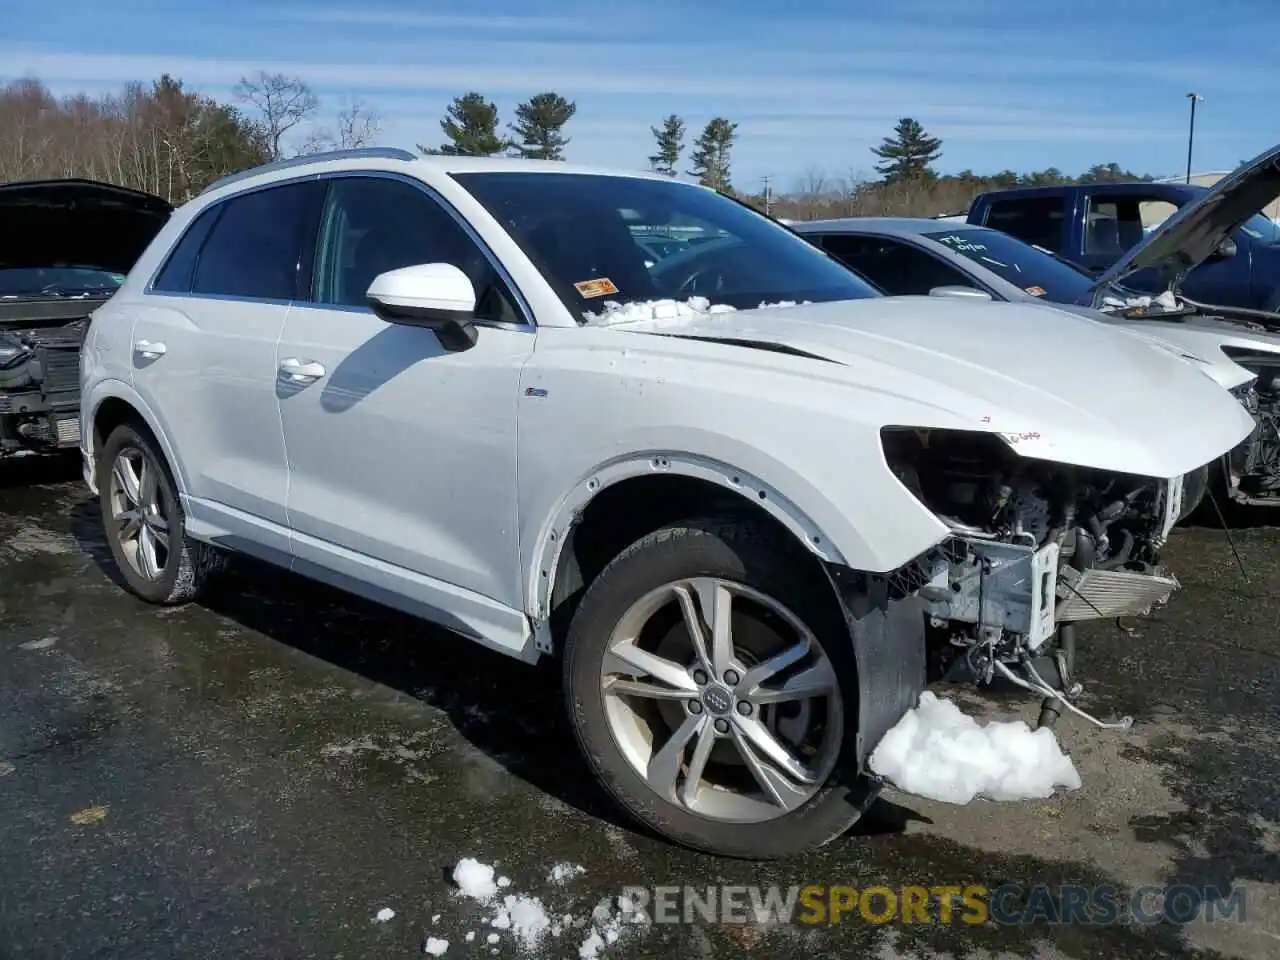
1094 225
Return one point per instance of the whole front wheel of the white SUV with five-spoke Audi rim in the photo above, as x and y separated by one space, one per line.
710 680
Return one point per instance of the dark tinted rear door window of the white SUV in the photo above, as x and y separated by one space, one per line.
255 248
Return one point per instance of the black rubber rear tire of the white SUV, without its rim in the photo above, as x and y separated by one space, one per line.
190 565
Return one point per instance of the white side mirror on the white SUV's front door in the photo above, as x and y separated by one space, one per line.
436 296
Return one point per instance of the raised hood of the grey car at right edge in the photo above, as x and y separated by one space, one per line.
1196 230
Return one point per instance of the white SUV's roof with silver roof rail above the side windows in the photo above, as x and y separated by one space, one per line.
412 163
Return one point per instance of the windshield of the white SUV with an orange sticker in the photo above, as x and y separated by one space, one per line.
629 240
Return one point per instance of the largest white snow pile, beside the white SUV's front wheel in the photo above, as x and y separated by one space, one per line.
940 753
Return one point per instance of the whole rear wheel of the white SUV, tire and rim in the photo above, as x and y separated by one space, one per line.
145 525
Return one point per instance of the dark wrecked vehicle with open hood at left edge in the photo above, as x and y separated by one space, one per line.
65 249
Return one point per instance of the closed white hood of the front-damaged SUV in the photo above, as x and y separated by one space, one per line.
1055 386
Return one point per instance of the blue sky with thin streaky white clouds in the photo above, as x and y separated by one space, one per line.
812 84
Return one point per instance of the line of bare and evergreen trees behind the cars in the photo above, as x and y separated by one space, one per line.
173 141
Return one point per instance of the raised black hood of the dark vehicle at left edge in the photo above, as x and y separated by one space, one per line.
77 223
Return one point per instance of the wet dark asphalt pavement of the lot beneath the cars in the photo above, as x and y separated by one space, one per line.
259 776
